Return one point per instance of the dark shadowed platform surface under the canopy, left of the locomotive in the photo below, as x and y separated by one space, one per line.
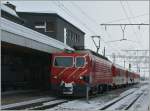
11 97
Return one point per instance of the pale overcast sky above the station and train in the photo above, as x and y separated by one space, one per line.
88 15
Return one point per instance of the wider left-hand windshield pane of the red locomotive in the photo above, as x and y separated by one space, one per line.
63 61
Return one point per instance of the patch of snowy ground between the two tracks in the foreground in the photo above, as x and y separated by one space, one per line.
81 104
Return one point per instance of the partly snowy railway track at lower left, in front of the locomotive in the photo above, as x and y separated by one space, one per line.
37 104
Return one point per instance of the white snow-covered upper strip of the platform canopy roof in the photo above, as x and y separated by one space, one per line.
18 29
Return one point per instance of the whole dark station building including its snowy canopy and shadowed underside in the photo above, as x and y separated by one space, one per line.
27 42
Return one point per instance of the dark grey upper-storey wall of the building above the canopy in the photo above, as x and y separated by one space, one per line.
75 37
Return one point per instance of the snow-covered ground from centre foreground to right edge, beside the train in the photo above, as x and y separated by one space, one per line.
96 103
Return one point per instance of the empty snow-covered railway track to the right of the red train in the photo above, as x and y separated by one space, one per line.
125 102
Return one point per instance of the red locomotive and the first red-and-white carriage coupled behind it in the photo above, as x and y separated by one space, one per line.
71 72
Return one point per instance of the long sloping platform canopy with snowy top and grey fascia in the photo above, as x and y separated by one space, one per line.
22 36
